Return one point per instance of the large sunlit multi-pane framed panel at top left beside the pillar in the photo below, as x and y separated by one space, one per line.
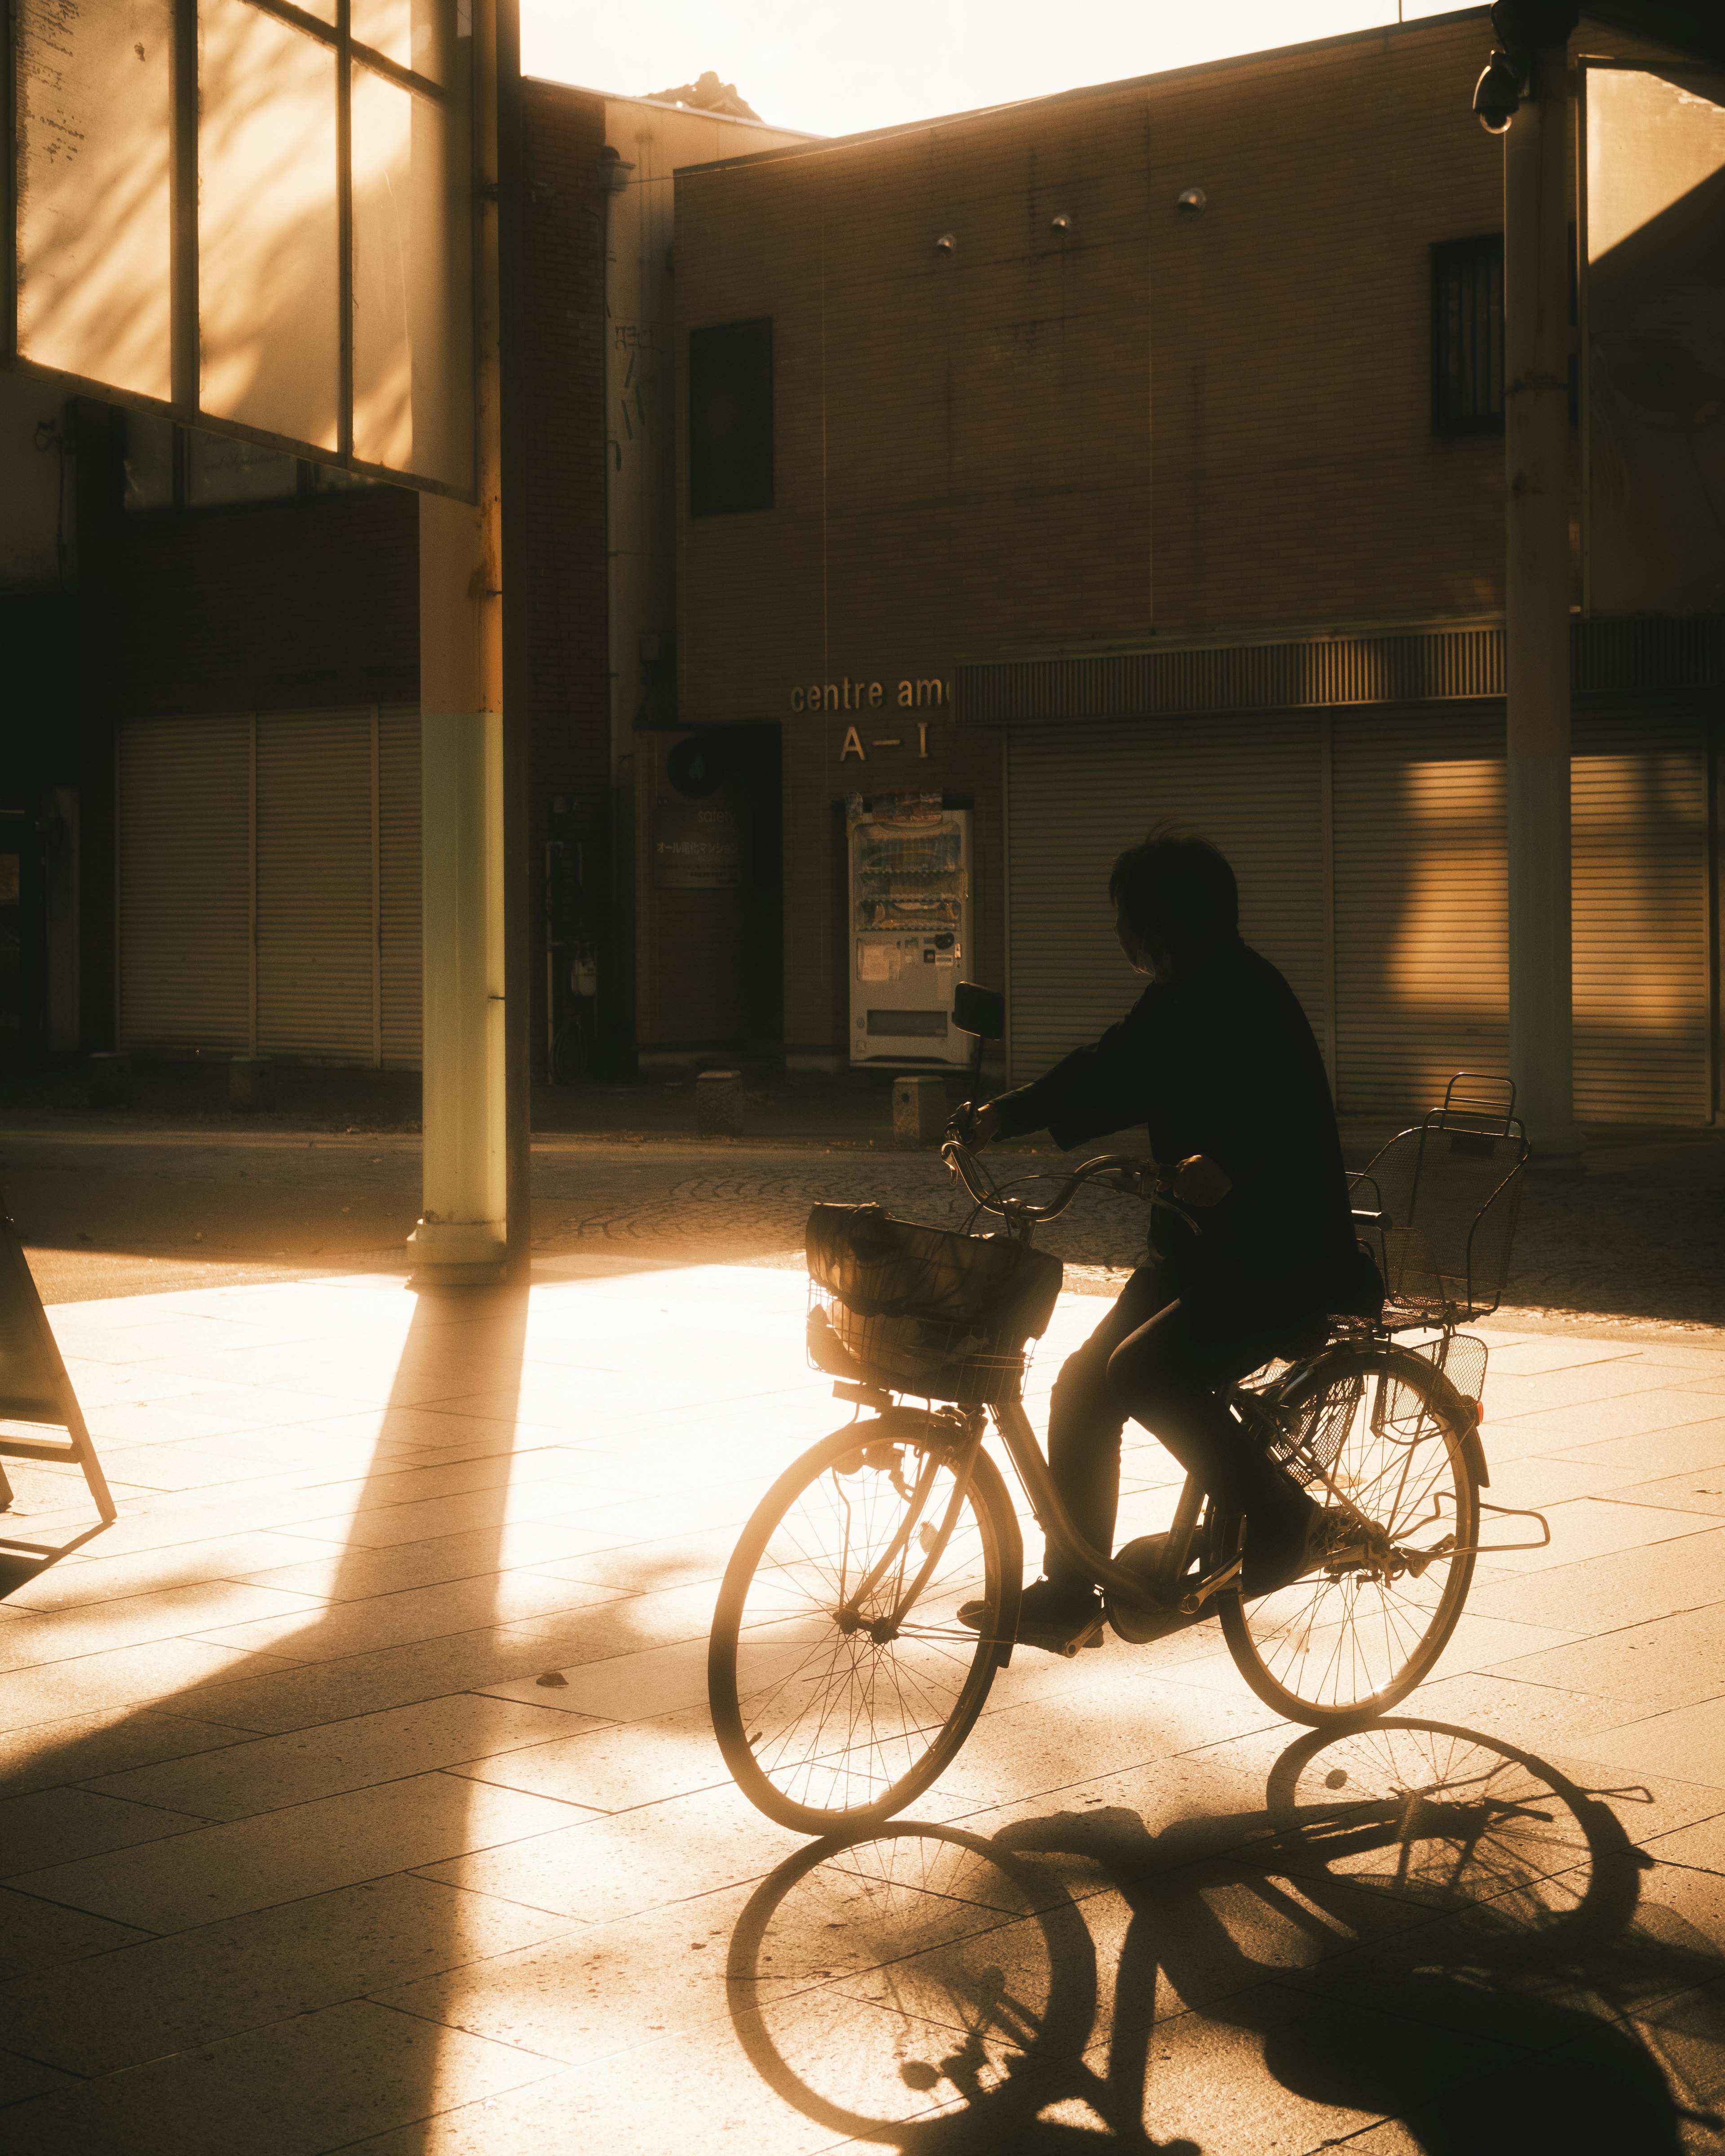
253 217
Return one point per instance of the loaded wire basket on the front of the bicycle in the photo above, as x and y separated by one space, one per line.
924 1310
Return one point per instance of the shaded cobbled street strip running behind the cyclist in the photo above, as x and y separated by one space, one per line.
1636 1241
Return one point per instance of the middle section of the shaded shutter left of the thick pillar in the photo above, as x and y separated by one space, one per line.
316 894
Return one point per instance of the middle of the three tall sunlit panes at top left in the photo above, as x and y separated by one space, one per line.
268 232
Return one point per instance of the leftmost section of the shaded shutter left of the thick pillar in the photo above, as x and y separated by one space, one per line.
184 885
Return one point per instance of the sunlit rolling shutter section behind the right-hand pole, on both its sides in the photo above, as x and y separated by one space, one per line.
1422 911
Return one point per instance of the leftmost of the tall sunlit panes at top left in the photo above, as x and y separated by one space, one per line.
94 221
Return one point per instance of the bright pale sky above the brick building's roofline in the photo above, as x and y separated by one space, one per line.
874 64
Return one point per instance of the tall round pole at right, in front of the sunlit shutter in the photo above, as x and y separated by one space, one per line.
1536 631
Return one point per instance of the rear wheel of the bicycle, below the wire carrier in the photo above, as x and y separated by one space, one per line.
1360 1633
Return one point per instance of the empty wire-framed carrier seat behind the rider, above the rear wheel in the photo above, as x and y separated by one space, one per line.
1450 1189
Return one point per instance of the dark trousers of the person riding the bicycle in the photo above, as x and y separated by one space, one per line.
1148 1362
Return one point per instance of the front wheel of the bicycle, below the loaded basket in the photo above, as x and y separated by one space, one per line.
825 1711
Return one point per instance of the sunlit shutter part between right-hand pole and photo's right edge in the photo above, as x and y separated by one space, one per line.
1642 917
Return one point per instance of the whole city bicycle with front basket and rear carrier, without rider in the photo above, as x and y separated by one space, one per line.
840 1674
